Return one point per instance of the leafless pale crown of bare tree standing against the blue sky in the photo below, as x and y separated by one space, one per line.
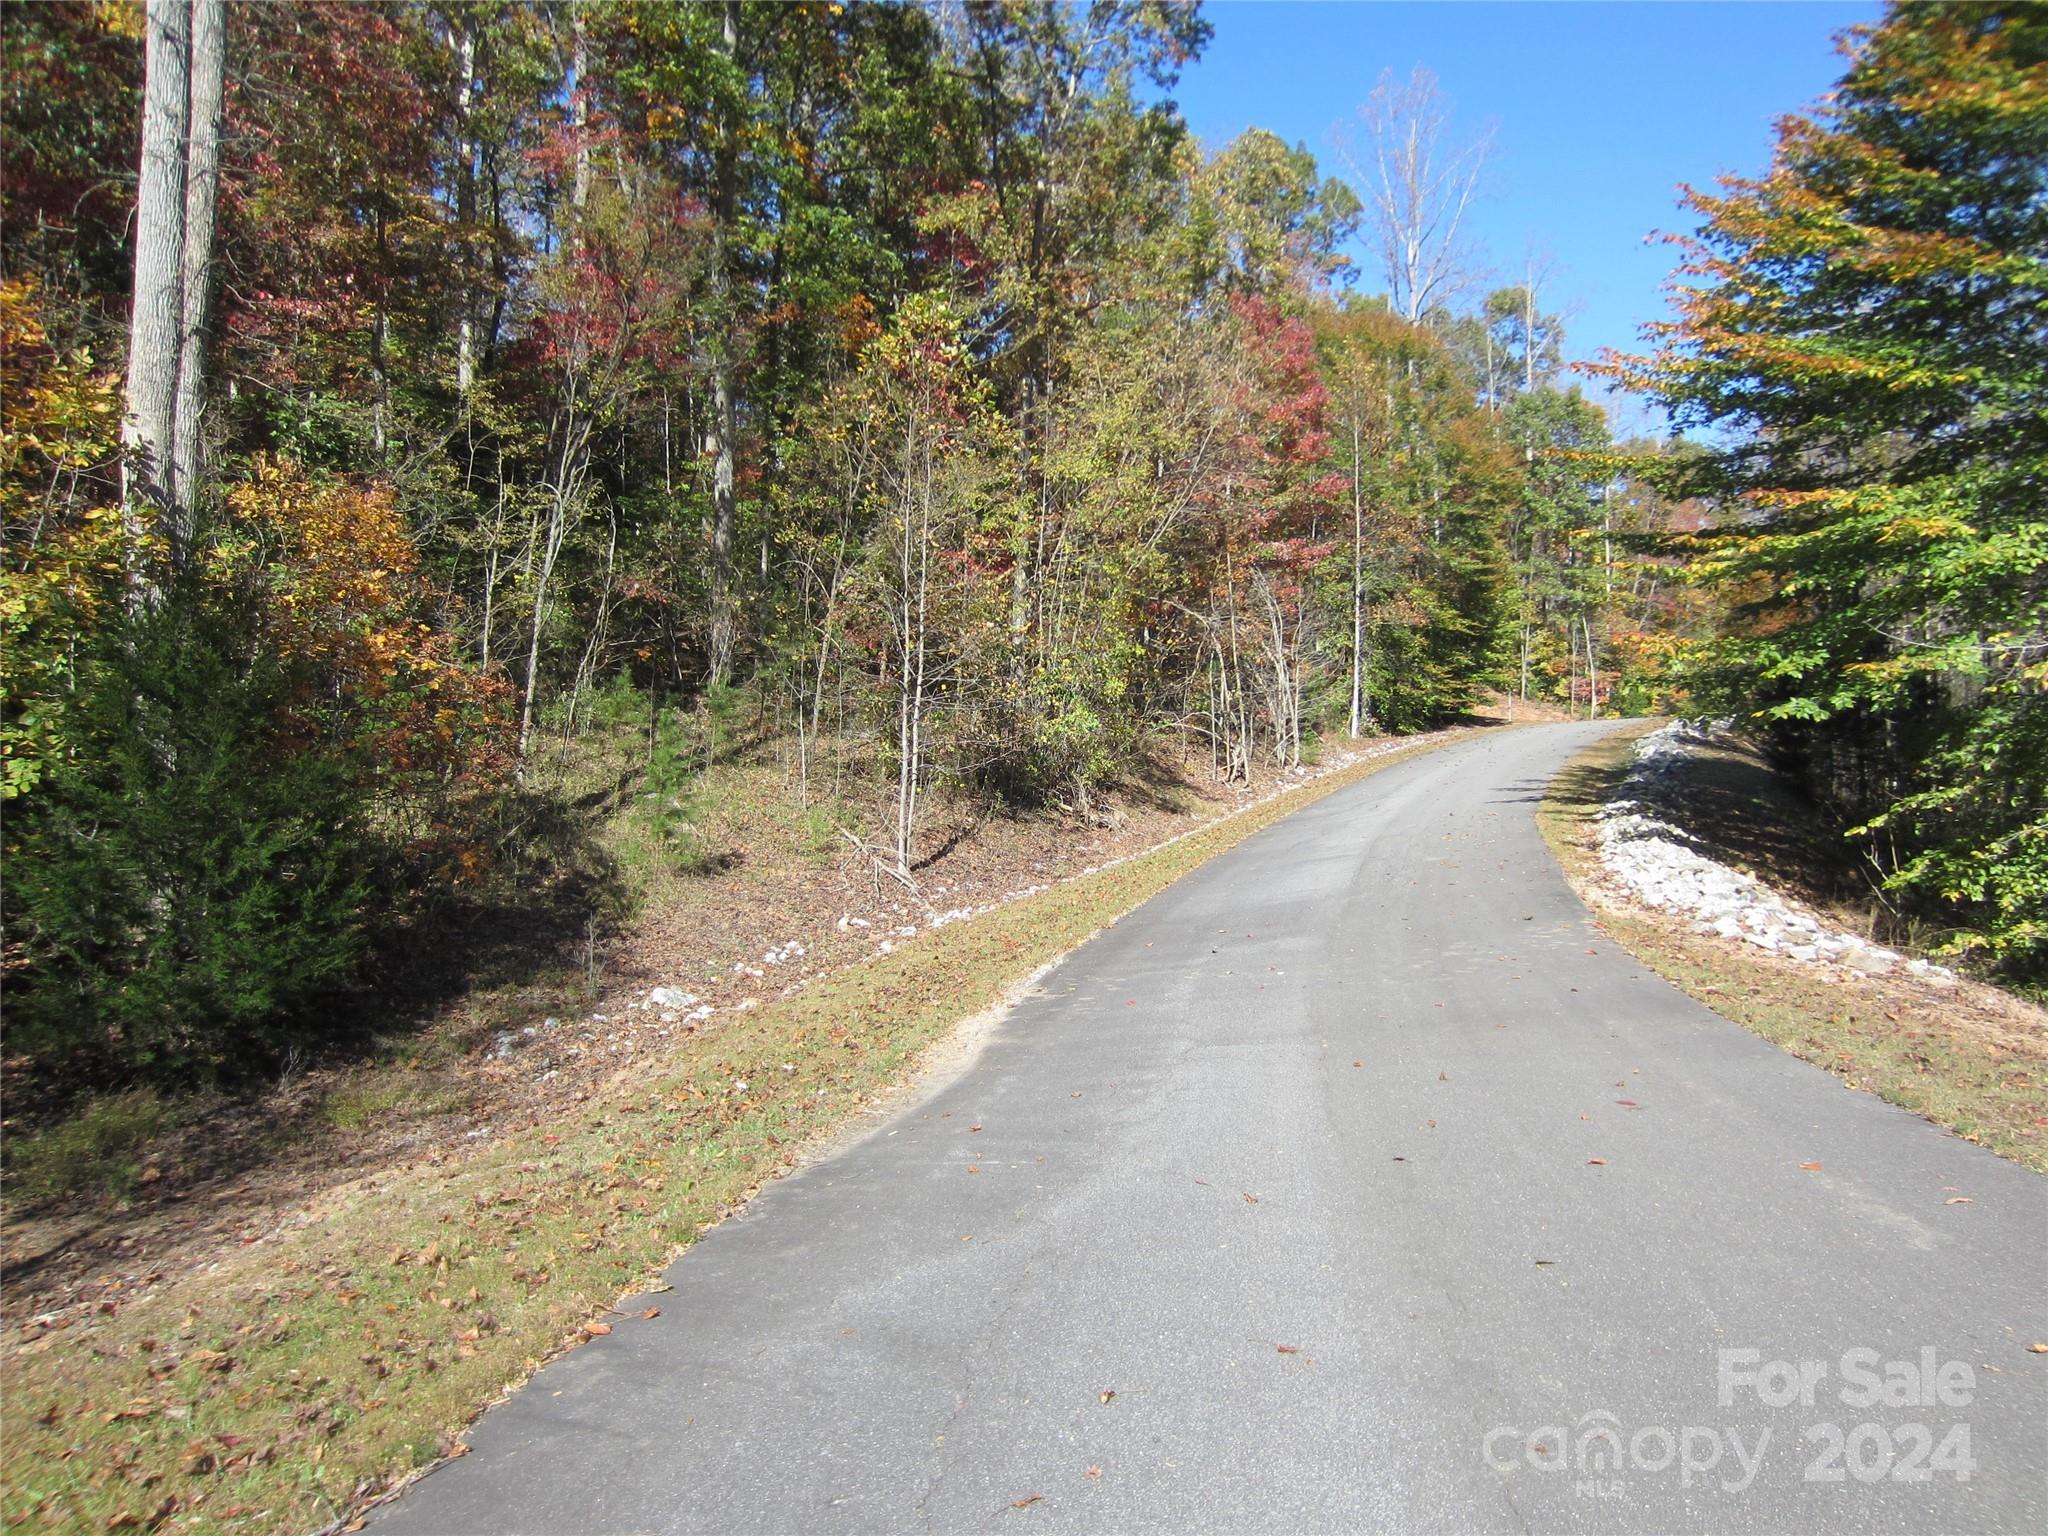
1416 185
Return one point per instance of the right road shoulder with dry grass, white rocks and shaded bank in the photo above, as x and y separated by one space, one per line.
1689 855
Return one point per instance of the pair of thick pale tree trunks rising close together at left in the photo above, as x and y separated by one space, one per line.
185 52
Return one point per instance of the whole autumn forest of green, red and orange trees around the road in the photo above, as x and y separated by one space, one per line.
411 402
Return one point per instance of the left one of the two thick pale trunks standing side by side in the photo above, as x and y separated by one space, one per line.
148 429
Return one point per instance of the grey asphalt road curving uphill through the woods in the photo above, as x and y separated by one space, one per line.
1302 1164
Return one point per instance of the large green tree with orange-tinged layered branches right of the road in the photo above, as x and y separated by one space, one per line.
1865 329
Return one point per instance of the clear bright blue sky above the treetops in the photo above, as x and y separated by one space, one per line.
1598 114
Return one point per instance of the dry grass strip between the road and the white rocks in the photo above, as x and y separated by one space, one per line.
1959 1058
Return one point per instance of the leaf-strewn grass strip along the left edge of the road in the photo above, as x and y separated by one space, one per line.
292 1383
